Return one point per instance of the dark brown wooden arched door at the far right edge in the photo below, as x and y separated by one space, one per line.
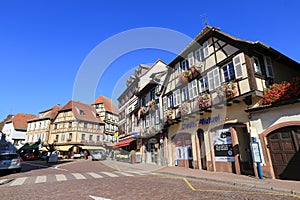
284 150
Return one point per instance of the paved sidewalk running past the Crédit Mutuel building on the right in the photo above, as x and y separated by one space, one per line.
276 185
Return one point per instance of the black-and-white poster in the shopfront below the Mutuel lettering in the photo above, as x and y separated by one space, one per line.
223 146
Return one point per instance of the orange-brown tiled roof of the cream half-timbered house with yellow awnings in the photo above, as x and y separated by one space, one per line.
81 111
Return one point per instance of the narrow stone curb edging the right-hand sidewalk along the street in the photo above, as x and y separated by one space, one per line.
279 190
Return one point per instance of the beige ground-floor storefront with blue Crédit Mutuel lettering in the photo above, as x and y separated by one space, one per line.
218 140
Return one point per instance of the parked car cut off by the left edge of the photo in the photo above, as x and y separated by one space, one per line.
10 162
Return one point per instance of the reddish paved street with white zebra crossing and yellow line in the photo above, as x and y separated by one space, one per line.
81 179
